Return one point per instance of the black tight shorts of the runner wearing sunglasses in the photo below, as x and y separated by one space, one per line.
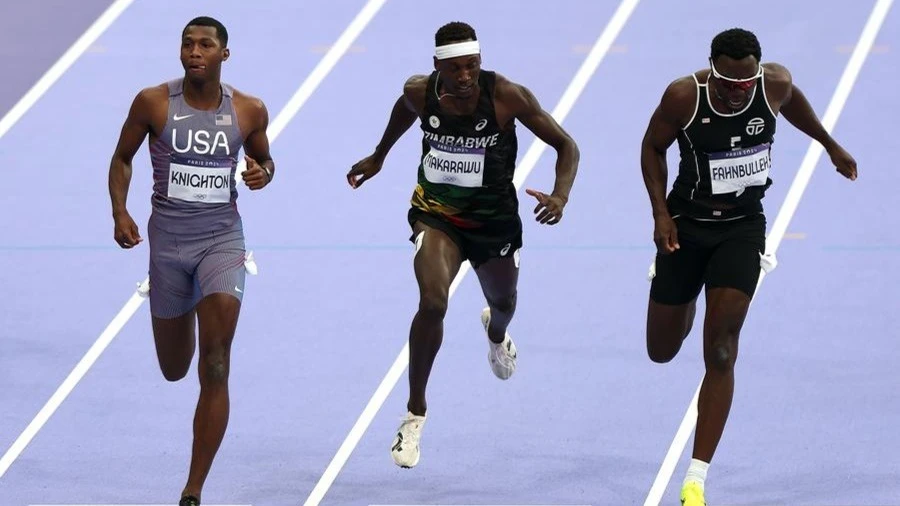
723 254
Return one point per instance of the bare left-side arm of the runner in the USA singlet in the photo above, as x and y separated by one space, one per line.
146 116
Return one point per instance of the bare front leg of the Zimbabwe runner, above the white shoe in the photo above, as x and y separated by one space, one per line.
436 263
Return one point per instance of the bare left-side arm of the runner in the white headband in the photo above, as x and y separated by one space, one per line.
406 110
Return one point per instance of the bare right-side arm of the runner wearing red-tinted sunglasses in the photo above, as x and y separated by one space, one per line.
787 98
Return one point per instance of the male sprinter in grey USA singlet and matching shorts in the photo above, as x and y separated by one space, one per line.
197 127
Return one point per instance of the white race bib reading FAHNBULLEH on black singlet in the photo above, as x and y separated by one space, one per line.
733 171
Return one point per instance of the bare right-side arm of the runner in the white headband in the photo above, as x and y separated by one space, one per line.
514 101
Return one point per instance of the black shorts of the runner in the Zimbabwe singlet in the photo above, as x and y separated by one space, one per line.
498 239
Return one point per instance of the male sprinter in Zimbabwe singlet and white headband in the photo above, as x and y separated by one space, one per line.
465 206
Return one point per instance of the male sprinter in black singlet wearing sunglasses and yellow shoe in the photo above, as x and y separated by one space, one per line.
711 229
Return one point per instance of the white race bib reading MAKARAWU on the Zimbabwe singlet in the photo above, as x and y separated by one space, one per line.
459 166
